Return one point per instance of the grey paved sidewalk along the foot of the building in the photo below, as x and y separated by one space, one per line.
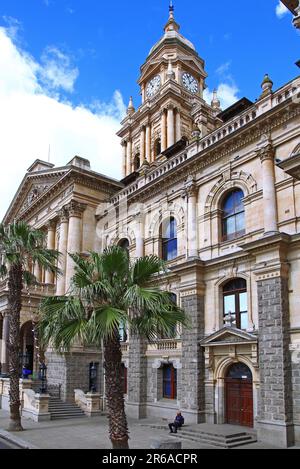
88 433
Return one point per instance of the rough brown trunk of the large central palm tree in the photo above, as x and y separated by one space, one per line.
118 427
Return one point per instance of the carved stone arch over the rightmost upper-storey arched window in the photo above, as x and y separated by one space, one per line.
227 182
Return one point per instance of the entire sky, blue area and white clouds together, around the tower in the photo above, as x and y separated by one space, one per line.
76 62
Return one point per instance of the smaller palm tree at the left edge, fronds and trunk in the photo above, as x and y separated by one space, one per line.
20 247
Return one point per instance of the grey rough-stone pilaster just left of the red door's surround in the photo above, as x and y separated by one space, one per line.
192 386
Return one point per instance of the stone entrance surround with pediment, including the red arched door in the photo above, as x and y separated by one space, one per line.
231 397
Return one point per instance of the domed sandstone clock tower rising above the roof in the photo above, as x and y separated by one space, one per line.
172 83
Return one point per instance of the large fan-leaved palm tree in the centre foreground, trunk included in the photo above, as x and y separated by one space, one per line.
109 291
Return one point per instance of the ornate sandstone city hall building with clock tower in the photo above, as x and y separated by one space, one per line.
216 194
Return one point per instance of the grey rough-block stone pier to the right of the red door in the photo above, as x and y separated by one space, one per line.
275 416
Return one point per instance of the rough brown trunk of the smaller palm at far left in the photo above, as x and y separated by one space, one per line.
15 287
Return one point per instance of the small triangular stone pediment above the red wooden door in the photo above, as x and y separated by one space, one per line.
229 335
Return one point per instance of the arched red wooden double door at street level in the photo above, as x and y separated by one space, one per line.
239 395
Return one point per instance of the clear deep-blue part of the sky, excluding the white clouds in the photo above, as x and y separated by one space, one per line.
108 41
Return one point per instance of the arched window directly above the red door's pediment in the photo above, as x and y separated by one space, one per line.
236 303
